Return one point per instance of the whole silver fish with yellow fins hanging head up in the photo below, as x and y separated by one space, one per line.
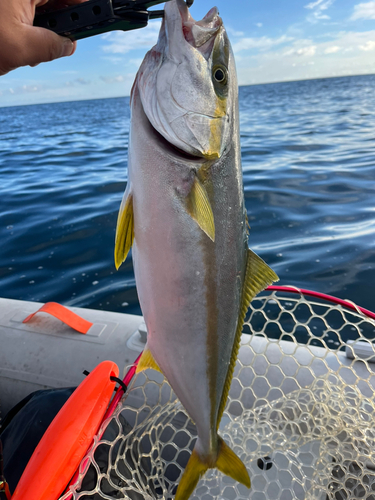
183 214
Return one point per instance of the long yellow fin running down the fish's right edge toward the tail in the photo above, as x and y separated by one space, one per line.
258 276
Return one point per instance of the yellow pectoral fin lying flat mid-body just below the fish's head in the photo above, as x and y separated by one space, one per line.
199 207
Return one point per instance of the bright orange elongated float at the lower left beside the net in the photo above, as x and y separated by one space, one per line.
67 439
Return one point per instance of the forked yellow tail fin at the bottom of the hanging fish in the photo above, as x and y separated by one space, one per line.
227 462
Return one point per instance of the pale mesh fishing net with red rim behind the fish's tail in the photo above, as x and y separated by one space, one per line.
300 414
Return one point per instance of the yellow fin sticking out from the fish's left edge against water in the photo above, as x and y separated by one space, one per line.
124 229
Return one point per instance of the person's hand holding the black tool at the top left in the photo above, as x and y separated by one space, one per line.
23 44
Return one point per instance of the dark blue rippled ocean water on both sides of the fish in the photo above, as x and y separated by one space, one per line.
308 154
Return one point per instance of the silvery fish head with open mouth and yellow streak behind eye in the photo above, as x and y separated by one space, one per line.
188 84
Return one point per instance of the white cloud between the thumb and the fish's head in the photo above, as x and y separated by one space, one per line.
120 42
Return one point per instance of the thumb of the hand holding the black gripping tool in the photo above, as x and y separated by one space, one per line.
42 45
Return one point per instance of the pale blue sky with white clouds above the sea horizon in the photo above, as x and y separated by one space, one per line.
272 41
